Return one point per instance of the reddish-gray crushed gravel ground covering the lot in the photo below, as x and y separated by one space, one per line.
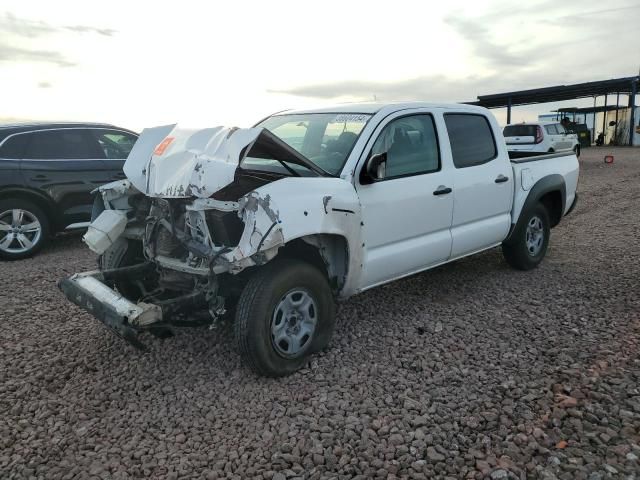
472 370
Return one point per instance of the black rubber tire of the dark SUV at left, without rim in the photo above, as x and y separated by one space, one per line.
32 212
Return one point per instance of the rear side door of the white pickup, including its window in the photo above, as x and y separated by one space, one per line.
483 184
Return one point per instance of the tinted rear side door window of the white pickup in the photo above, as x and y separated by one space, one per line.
471 139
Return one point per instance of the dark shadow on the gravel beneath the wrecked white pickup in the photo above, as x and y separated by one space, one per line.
361 320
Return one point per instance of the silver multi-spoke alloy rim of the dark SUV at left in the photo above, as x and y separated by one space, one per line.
20 231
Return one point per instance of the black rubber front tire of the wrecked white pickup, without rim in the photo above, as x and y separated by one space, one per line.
256 311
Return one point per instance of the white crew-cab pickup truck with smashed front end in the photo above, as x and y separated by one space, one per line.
279 221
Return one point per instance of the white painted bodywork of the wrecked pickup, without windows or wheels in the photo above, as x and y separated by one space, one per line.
390 228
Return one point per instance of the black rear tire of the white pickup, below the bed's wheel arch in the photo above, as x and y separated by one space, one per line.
517 251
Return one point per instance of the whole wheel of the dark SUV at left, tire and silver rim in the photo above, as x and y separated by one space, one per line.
24 229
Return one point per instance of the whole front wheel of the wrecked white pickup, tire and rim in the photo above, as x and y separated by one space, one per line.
286 312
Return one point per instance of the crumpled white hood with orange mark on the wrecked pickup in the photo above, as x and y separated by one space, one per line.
168 161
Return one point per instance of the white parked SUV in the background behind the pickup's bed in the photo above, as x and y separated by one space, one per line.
540 137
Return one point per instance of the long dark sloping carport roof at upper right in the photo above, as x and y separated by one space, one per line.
626 85
